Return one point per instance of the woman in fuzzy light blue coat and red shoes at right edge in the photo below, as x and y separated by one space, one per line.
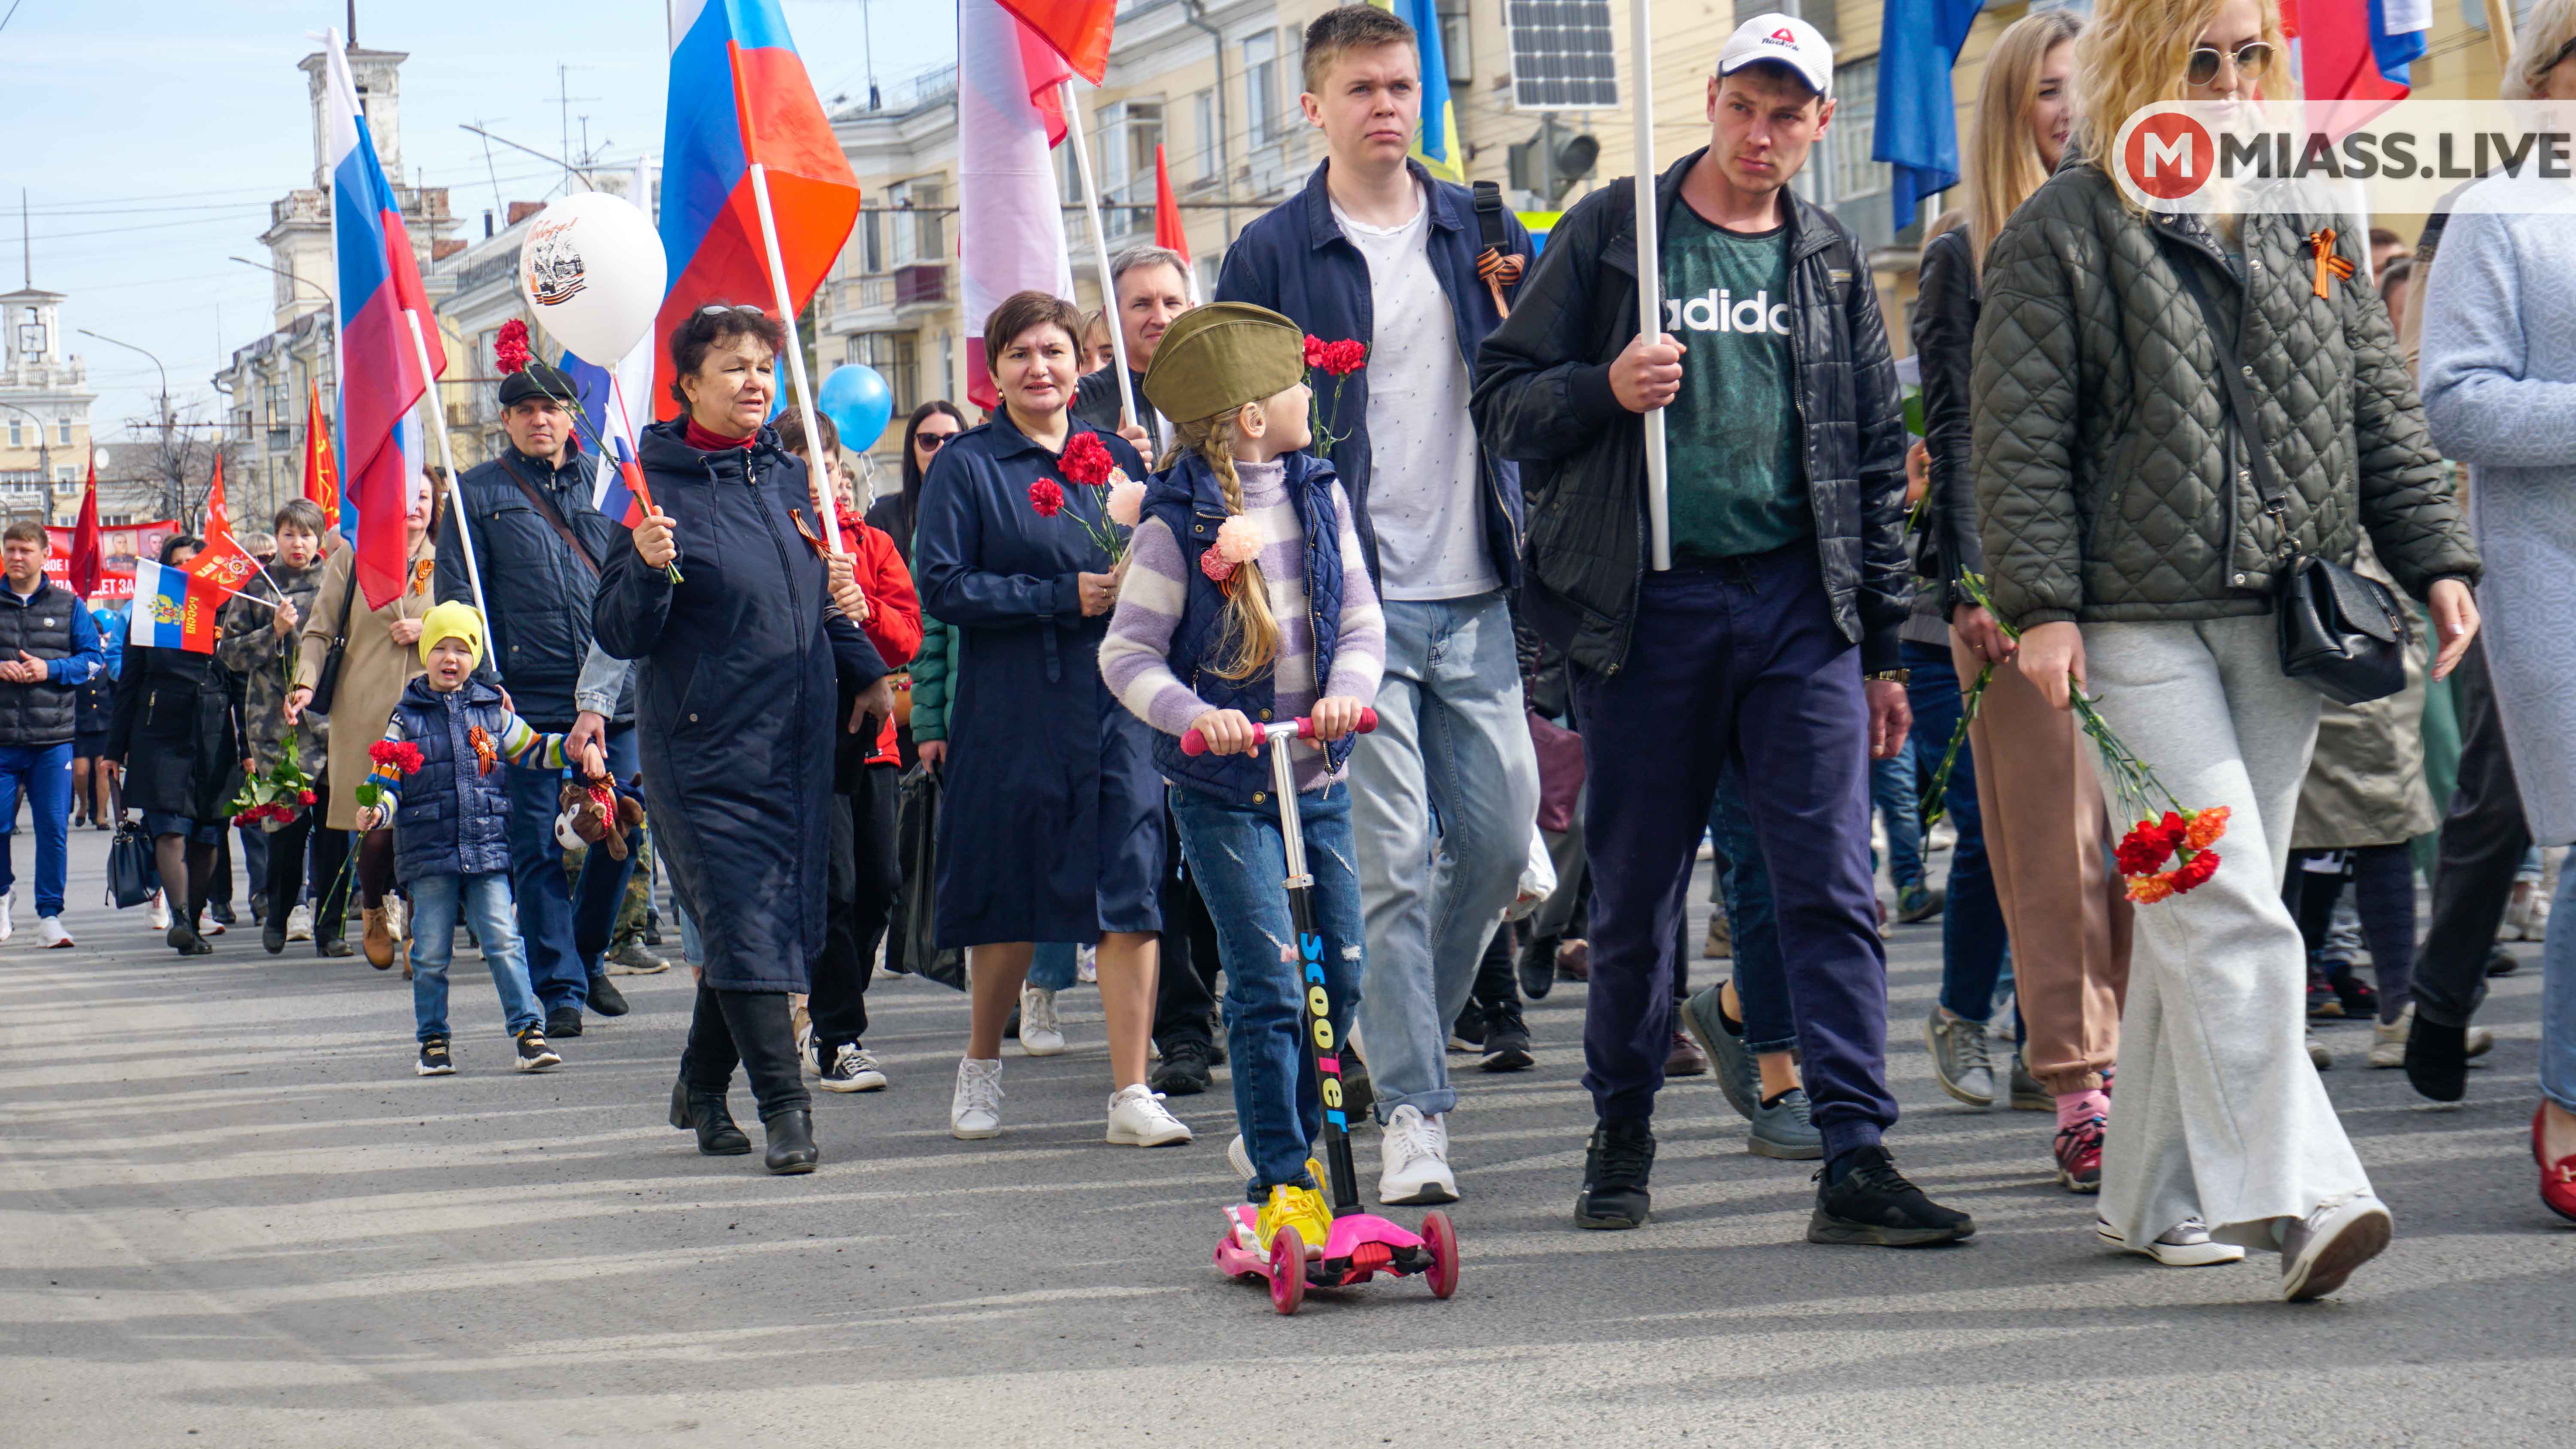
2500 385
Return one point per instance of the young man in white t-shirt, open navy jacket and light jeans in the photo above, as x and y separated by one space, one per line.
1382 254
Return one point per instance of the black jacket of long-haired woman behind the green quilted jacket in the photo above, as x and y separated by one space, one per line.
1946 346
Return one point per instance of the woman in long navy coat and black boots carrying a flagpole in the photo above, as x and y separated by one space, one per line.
735 717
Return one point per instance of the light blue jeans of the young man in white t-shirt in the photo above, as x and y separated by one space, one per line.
1444 799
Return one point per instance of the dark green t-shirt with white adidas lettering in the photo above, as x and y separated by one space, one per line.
1735 483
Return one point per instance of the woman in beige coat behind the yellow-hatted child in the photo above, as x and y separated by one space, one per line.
377 663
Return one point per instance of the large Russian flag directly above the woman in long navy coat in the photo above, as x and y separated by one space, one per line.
741 99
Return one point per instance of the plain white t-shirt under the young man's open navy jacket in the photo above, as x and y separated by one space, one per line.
1423 490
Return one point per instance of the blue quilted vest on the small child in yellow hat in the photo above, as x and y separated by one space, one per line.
452 817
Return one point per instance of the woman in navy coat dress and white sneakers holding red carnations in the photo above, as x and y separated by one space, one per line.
1052 820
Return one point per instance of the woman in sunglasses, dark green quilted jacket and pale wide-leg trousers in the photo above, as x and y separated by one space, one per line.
2137 531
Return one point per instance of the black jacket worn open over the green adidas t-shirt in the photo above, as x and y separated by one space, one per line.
1544 400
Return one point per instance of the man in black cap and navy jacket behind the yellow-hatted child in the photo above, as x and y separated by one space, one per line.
540 547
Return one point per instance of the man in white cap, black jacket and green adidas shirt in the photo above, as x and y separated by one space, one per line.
1786 586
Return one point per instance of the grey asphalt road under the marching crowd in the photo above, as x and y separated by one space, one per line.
233 1216
